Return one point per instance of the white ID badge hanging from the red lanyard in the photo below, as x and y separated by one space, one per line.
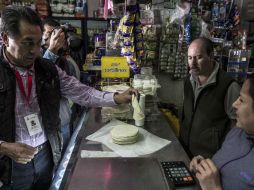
33 124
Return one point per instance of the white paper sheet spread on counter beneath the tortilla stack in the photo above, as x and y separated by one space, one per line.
146 144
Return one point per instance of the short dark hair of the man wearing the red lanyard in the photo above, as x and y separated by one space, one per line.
13 15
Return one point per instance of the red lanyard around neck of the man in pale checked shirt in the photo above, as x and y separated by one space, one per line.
21 86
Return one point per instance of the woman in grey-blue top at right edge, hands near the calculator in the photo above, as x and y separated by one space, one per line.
232 166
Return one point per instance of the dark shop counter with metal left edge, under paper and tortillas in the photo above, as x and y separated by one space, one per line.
73 169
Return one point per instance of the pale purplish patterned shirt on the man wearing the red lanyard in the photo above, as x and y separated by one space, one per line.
70 88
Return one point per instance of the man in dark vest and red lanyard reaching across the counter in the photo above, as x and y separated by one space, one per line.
30 91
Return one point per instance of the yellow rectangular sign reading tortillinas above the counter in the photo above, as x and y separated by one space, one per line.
114 67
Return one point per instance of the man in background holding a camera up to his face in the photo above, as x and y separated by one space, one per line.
55 49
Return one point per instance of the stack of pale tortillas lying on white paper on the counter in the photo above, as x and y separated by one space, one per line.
124 134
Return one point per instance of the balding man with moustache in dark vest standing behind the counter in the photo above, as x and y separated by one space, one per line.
208 97
